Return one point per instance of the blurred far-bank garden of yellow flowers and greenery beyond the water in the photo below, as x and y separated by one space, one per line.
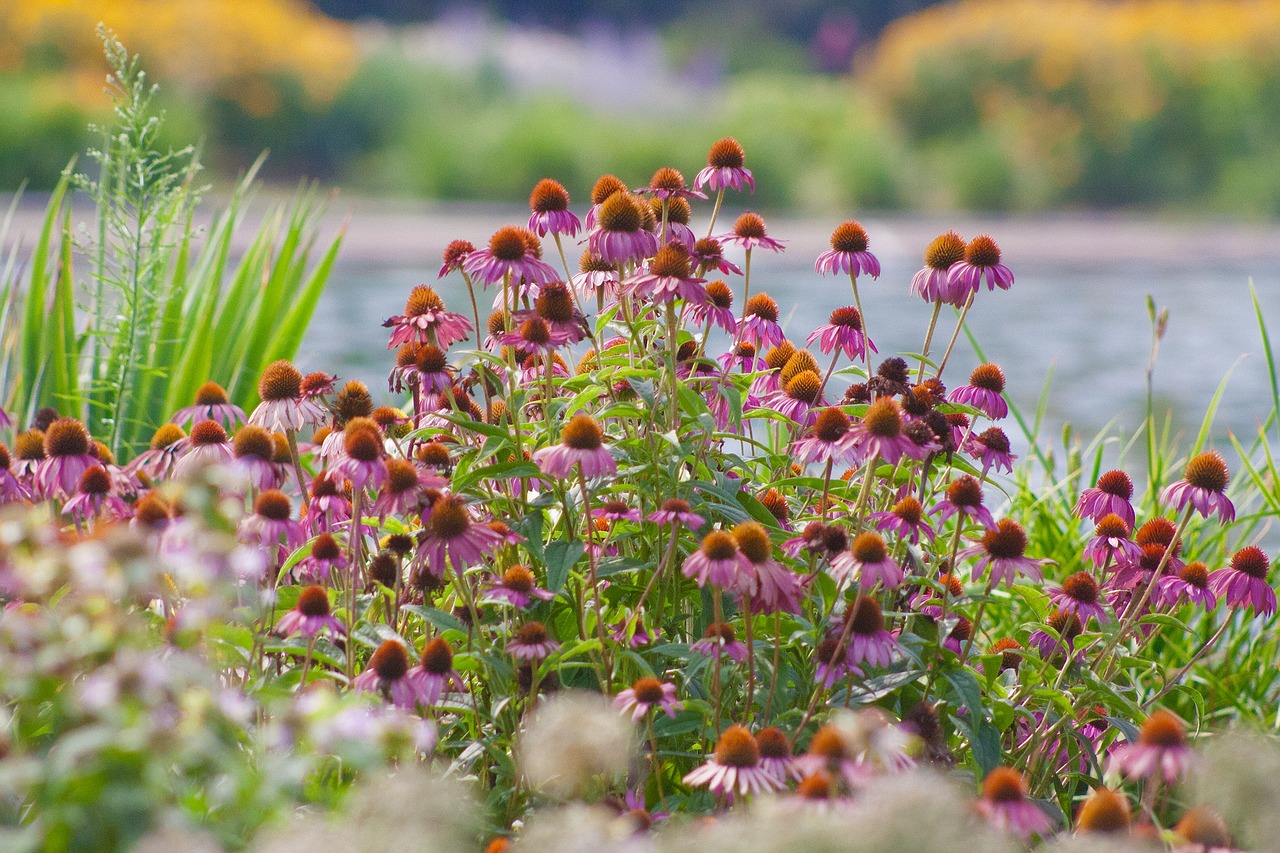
999 106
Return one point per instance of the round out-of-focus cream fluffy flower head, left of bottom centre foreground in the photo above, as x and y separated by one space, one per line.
574 741
